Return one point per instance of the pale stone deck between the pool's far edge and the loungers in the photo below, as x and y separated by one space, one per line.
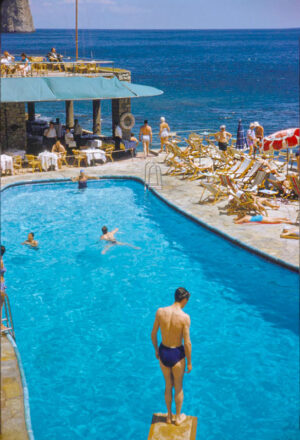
185 195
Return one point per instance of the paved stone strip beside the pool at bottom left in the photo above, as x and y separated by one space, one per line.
12 398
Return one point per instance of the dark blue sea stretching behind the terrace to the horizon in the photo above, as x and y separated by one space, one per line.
208 77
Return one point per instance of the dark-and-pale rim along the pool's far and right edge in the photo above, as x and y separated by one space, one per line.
235 241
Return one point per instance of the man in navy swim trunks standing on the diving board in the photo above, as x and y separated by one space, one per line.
174 326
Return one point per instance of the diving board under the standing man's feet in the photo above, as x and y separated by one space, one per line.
160 430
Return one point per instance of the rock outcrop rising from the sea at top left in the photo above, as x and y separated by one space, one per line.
16 16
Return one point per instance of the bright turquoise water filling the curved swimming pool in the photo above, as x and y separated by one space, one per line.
83 320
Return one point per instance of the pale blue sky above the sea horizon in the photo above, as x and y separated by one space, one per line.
167 14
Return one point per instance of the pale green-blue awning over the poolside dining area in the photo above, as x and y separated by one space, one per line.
75 88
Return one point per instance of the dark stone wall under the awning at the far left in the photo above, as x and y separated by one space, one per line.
12 126
